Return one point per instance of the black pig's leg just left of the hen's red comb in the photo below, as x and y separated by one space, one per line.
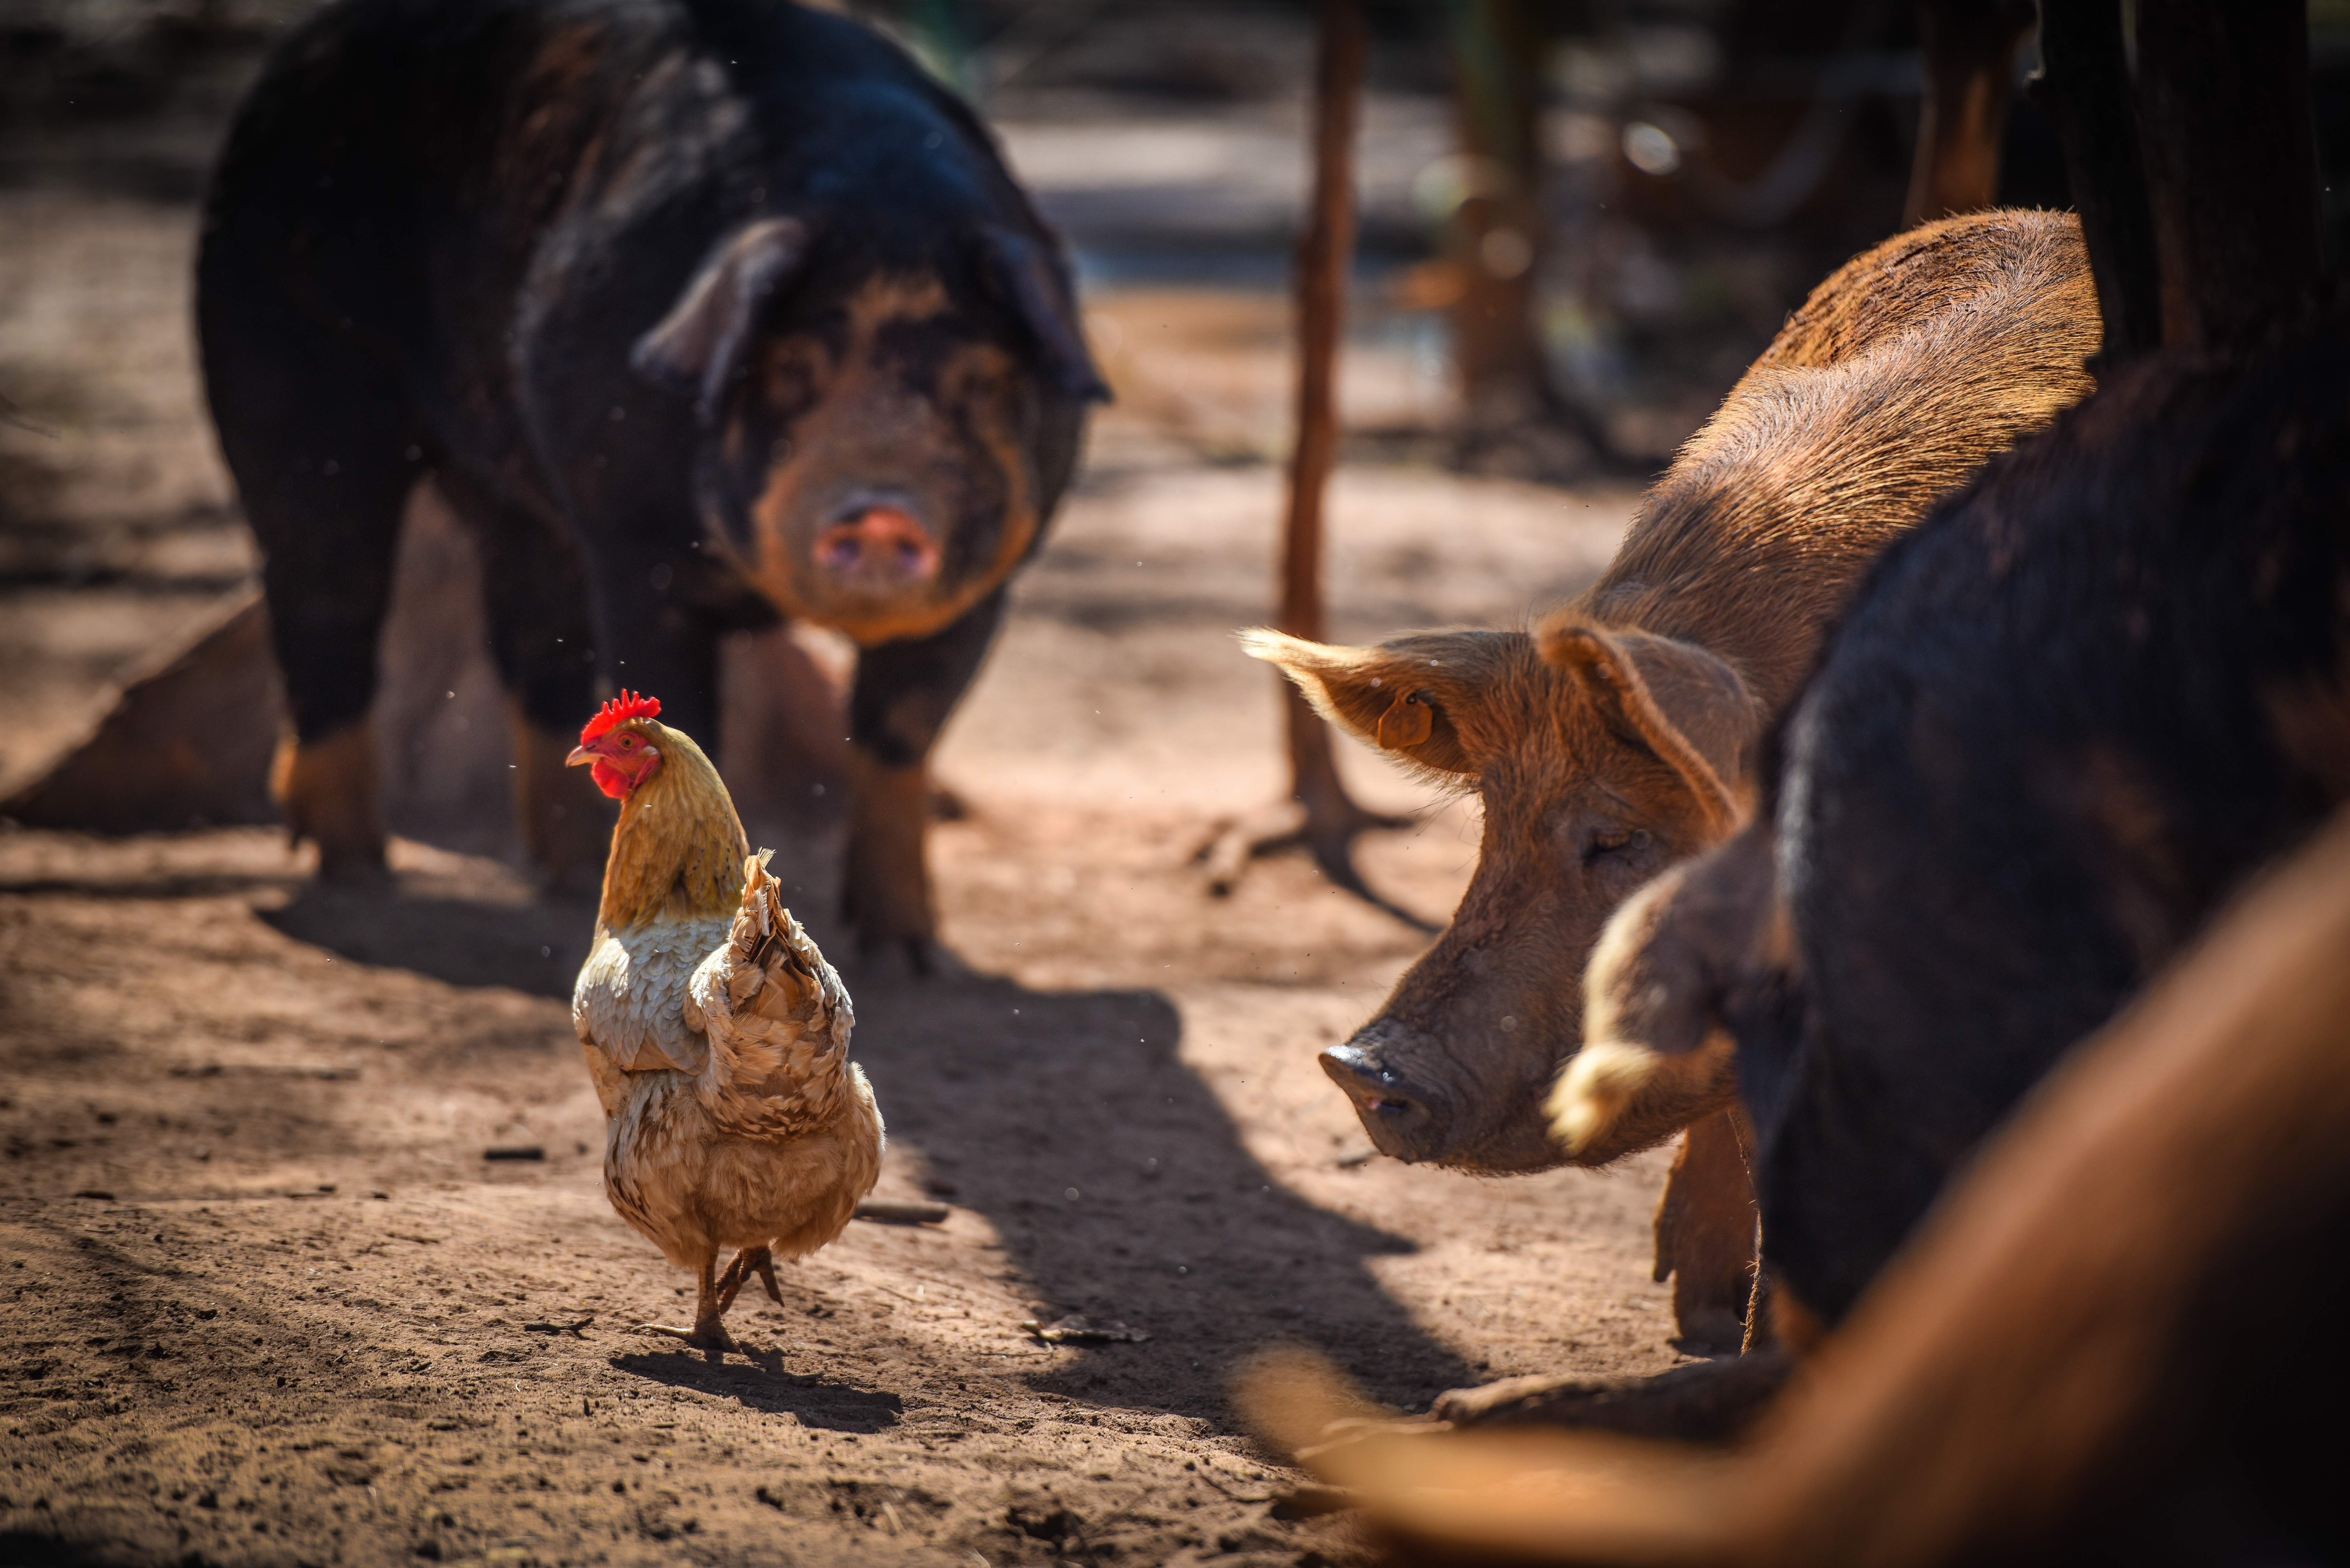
535 591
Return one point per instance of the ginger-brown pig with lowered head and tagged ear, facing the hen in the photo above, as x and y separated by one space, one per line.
1637 744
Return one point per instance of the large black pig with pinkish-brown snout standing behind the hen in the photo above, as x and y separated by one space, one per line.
699 314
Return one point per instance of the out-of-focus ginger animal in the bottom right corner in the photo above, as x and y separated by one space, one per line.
2064 1369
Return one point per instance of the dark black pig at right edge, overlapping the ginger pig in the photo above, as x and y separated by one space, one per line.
2060 730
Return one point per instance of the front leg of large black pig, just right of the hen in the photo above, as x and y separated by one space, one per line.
897 709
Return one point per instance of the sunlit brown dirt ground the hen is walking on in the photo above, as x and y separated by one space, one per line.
269 1296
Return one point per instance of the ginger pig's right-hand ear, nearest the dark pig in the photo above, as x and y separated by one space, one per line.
1674 699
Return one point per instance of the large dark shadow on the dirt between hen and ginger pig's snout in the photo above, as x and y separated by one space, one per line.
1122 1191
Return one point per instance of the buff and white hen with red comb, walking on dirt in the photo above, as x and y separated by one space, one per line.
716 1033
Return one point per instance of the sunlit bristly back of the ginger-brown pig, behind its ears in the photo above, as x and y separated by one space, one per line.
1902 375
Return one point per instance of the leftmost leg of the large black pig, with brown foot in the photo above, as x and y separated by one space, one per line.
318 438
